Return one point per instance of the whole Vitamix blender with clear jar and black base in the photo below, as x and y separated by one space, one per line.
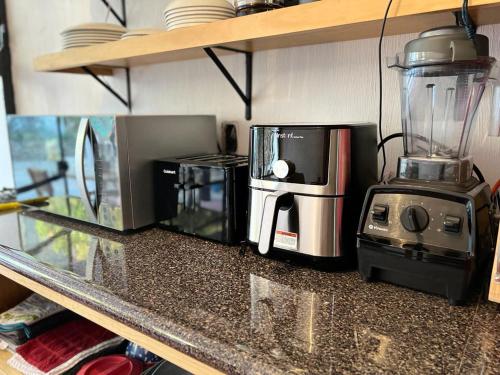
429 228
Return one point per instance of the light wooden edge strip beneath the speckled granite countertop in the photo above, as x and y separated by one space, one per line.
170 354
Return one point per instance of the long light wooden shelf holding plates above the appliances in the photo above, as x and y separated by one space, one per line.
319 22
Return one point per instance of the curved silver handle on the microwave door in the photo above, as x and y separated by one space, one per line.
80 167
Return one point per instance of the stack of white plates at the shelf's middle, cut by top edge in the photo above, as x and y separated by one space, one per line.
185 13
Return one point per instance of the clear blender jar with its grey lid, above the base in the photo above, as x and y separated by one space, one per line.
443 75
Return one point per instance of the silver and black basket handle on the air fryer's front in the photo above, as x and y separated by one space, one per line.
272 205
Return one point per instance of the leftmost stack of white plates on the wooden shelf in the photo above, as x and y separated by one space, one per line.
88 34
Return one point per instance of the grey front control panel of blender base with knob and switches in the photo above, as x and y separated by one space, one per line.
420 219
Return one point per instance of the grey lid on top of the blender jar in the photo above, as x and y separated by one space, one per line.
443 45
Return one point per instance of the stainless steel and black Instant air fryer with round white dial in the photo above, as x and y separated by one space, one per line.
307 184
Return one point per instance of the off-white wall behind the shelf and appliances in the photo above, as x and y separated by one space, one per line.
331 82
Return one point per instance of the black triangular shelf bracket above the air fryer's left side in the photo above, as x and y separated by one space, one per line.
247 95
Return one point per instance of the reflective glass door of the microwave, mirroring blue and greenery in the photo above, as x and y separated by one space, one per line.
42 147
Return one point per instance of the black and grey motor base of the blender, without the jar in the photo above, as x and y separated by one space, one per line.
445 255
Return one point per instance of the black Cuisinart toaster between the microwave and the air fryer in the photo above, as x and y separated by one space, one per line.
203 195
